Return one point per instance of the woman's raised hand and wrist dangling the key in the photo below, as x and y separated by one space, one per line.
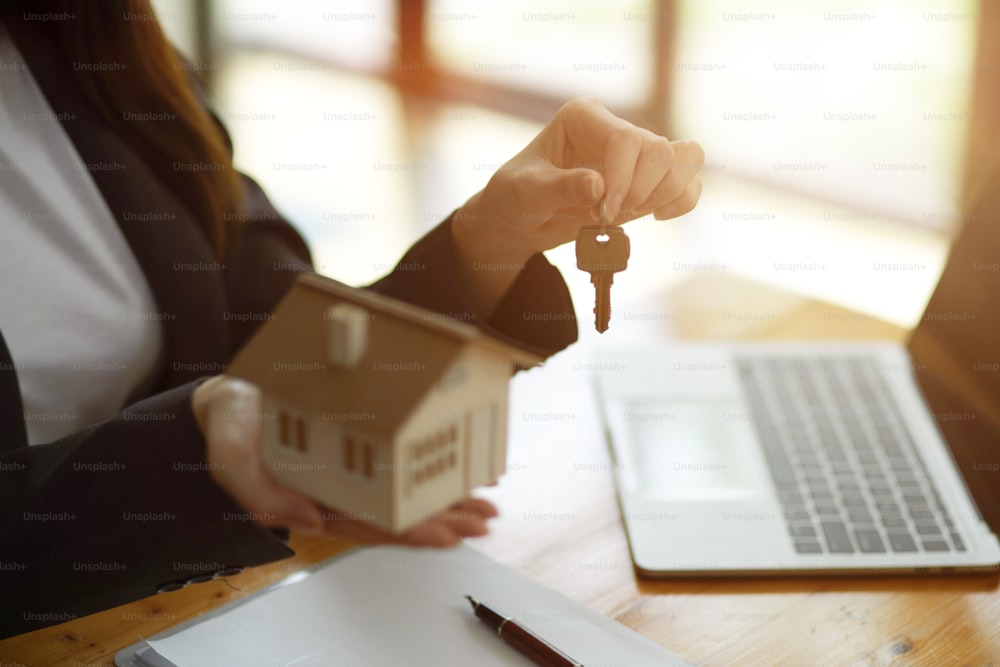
541 197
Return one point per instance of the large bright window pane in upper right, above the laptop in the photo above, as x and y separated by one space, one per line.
861 104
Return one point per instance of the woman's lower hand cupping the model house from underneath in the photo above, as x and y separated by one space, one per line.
230 416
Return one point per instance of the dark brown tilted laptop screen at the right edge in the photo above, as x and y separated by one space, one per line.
956 353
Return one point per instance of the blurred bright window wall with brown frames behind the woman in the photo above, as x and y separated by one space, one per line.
844 139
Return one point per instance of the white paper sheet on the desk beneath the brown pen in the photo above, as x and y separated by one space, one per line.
395 606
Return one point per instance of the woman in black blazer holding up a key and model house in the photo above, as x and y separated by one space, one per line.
126 248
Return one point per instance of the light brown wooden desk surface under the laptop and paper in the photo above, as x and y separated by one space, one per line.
560 525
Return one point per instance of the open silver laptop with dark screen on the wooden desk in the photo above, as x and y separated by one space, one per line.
819 458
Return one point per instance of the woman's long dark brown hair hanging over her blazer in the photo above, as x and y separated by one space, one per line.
155 79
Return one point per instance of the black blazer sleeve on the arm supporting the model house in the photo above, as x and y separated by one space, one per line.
83 515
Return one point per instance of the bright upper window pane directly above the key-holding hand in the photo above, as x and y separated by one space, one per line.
559 49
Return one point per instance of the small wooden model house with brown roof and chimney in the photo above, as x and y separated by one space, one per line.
380 410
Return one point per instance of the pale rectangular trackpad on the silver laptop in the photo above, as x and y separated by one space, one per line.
698 451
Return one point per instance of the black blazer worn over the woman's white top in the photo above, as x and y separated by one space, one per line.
124 508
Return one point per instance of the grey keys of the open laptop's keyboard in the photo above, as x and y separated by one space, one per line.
848 477
